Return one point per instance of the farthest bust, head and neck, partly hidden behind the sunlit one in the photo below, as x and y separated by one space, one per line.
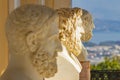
88 26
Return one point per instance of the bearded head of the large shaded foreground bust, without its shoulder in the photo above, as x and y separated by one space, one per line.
32 30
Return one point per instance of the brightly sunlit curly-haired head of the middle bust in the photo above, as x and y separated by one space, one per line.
70 29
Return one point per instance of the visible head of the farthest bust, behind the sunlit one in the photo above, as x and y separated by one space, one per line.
87 24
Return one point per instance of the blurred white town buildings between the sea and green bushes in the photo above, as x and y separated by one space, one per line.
96 54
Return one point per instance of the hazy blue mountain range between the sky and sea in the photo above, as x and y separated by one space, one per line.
106 25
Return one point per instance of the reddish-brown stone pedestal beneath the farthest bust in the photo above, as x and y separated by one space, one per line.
85 73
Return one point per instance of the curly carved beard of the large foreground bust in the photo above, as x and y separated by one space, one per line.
44 62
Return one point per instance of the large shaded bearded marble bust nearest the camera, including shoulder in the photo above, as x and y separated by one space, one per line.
32 33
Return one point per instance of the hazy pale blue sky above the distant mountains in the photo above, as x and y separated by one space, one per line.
102 9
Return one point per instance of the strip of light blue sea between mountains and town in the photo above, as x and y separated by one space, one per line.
105 36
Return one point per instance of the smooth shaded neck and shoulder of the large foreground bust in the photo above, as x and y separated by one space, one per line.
21 68
